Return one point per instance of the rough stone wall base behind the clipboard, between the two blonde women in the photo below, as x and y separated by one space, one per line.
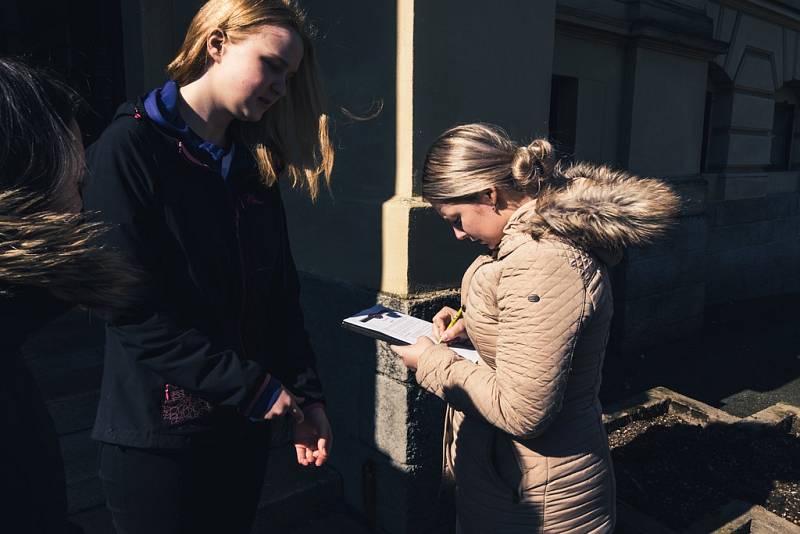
388 432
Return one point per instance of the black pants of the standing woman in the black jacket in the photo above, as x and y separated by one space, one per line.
212 486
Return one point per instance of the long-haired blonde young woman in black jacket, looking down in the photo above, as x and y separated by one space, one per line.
196 378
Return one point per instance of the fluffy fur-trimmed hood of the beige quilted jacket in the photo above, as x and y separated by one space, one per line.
598 209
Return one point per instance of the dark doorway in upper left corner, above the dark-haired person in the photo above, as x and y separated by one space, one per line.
80 40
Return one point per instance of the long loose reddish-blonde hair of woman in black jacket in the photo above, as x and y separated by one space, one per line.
292 137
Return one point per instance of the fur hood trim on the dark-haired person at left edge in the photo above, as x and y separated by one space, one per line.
56 251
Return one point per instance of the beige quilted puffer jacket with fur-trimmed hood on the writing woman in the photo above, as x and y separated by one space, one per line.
524 439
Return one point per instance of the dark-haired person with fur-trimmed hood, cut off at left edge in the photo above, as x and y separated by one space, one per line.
47 265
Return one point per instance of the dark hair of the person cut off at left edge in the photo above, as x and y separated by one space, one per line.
39 153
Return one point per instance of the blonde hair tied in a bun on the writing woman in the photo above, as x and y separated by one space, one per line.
469 159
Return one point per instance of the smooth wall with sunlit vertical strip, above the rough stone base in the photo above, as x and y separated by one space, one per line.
450 63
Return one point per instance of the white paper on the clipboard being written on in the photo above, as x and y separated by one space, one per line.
401 326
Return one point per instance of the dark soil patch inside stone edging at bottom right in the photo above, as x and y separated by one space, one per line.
676 471
